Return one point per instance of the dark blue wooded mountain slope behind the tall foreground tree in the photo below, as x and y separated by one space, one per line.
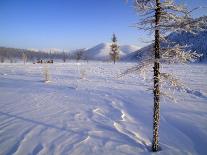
195 42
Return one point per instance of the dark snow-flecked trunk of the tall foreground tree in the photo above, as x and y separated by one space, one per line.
156 91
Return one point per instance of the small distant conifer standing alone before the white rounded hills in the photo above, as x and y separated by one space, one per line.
114 53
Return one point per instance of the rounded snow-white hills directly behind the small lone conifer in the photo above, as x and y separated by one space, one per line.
101 51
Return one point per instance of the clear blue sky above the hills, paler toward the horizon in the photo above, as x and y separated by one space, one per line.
70 24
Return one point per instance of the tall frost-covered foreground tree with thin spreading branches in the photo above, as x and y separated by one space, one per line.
161 17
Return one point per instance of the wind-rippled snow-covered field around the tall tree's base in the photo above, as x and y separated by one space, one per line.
87 109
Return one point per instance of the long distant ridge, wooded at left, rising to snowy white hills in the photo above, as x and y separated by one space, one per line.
99 52
